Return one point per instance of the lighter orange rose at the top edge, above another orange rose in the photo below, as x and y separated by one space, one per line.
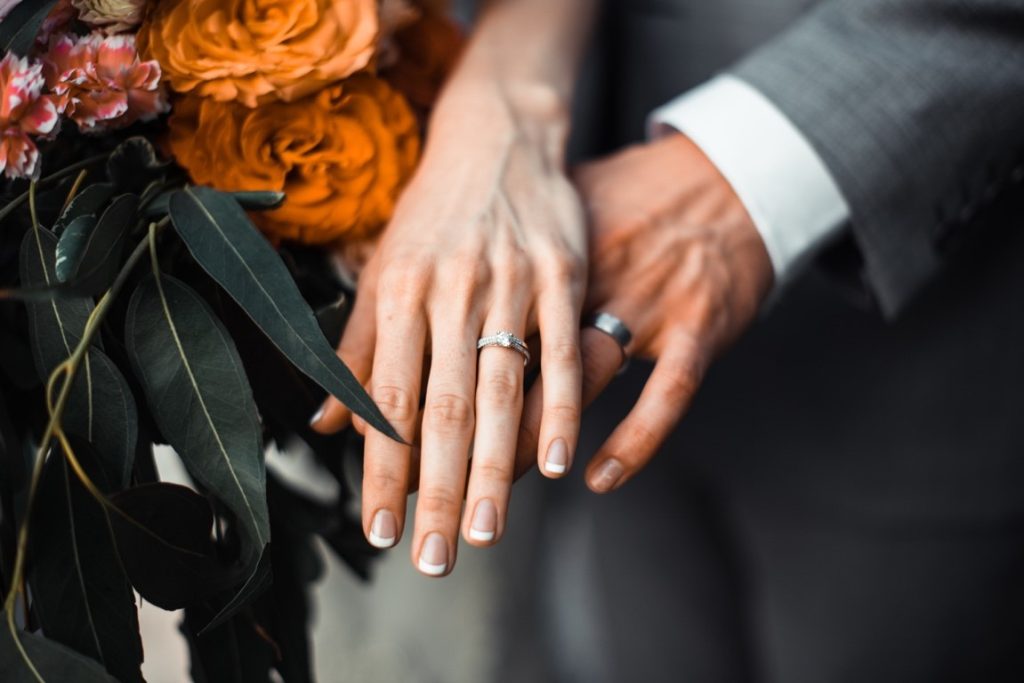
257 52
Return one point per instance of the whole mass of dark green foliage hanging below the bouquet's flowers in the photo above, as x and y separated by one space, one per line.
118 334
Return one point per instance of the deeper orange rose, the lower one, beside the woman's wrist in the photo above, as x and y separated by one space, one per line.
342 156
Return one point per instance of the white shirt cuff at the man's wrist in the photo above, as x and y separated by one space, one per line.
781 180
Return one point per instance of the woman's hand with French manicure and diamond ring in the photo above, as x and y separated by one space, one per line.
488 237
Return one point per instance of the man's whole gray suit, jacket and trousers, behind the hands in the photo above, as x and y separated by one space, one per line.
845 501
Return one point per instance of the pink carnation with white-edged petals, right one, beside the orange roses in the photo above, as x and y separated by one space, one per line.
102 81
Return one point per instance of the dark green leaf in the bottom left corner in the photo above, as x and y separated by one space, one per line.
55 663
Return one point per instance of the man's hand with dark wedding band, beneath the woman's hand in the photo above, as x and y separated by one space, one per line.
674 255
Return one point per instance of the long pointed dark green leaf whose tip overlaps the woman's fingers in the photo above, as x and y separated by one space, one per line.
228 246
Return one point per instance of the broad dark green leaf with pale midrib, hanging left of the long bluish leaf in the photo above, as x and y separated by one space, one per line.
201 400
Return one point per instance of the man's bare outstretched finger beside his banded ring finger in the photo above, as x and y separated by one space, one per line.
664 402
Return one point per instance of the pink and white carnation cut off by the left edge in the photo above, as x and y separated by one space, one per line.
24 112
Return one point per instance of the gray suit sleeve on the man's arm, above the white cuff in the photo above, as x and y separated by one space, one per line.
917 109
